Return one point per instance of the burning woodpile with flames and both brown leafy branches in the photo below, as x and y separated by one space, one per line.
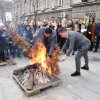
42 70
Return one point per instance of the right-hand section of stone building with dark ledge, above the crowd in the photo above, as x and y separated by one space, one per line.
85 8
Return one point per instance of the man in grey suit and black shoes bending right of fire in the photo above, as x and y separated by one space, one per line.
81 43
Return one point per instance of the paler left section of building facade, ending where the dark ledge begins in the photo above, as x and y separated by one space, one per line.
43 9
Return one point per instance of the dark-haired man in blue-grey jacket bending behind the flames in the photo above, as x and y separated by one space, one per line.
48 37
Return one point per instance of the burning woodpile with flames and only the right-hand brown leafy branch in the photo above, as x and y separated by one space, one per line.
41 71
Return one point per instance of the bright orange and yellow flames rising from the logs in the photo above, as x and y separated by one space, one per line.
39 56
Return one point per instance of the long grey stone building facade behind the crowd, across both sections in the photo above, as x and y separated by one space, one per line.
71 9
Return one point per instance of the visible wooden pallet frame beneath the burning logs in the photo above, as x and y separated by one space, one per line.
38 88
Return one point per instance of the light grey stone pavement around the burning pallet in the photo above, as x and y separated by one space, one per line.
85 87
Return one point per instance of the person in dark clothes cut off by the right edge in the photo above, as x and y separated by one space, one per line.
98 37
